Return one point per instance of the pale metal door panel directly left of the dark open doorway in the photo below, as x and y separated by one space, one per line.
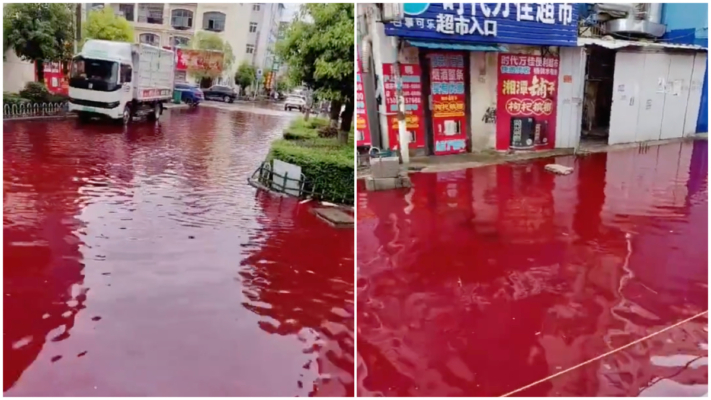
571 84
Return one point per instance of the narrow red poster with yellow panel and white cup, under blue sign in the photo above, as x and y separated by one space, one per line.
448 103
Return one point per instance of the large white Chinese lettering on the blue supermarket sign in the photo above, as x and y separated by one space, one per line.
480 18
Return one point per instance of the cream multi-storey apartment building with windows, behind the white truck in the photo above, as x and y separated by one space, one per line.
247 27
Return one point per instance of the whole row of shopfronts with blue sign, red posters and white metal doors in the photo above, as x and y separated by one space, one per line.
498 76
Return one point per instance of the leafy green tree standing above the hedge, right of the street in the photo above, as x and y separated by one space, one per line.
319 47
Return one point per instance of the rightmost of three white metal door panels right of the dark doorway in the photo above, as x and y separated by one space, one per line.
677 95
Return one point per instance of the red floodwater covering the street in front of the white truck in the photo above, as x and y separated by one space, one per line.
140 263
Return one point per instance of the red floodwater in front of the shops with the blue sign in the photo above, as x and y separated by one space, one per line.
480 282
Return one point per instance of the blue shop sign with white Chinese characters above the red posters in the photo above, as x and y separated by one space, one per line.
538 24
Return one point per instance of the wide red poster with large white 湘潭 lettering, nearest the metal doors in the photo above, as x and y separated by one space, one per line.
526 101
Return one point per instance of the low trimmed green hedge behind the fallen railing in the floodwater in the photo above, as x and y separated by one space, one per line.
329 174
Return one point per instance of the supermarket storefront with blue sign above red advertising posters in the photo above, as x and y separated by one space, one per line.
478 76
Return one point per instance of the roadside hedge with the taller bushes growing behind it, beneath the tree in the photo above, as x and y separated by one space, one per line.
326 164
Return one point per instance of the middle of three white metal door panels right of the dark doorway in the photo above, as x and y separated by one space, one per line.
651 96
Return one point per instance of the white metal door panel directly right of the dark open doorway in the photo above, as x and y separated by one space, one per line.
625 97
